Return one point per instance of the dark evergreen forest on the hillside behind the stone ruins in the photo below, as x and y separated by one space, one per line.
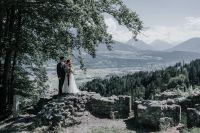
145 84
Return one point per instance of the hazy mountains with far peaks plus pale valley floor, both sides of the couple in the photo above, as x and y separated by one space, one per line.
128 58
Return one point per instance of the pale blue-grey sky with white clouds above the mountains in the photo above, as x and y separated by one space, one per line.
173 21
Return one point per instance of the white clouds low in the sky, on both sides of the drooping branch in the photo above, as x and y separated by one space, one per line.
172 34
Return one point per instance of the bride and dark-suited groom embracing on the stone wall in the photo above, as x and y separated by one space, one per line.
67 82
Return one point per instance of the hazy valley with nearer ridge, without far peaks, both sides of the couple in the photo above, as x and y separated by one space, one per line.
123 59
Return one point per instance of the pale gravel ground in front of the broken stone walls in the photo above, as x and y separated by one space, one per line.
91 124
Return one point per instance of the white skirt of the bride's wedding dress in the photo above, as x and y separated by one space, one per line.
72 87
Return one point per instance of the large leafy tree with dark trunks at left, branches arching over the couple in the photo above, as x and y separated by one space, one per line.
34 31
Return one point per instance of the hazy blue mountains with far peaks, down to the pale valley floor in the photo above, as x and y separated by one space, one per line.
140 54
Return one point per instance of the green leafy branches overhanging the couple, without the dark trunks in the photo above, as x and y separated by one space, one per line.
86 17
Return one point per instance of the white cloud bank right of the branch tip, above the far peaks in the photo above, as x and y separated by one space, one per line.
173 34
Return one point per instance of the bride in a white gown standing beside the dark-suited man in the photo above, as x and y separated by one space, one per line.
69 85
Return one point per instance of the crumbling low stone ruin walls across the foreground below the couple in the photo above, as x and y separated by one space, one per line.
64 110
